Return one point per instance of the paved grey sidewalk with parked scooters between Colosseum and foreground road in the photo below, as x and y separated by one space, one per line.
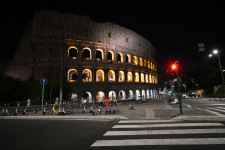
153 109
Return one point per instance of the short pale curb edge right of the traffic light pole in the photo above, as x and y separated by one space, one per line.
212 118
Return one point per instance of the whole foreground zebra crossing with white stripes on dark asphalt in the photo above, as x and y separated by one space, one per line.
162 132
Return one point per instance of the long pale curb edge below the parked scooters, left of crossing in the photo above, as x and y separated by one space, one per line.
66 117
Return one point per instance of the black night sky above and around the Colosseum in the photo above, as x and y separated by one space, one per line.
171 26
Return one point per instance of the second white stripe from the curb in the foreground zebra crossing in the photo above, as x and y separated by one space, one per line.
167 125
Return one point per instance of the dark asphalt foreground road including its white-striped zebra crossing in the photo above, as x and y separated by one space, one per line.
87 134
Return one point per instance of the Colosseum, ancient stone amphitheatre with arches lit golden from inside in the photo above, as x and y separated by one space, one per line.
100 60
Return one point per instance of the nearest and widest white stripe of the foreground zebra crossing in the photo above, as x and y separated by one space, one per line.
176 141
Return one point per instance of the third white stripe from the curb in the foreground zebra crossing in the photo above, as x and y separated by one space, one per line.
157 132
